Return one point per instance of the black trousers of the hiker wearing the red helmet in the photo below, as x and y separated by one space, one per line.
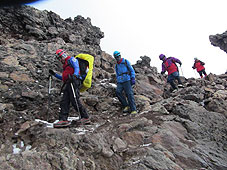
69 98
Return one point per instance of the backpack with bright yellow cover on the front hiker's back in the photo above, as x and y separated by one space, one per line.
86 67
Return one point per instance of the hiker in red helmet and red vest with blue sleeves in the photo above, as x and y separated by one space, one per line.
70 76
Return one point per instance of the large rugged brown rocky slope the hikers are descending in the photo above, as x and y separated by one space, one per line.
182 130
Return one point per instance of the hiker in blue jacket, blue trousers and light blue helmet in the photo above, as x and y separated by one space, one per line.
125 75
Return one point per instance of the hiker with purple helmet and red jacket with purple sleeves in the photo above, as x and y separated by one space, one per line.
169 65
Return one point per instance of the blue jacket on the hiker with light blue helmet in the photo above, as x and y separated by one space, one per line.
123 73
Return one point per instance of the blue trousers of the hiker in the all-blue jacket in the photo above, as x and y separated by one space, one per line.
127 88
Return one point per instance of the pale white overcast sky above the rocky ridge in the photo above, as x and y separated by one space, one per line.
136 28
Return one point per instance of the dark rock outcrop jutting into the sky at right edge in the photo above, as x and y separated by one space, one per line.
219 40
